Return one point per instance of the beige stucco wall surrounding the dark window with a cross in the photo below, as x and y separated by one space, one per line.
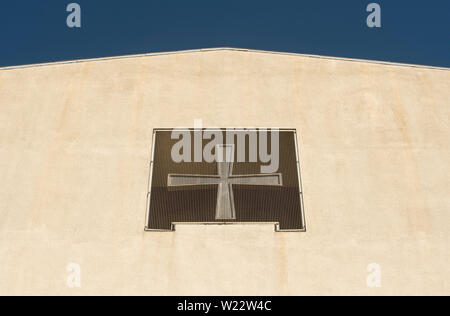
74 161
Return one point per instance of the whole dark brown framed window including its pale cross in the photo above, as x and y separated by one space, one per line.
225 176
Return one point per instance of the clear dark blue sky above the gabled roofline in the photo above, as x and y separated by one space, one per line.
415 32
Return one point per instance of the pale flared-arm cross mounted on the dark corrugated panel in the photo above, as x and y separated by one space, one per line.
225 179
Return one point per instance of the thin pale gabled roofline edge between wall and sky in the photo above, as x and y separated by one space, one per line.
223 49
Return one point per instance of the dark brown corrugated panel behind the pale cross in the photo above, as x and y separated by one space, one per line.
197 204
